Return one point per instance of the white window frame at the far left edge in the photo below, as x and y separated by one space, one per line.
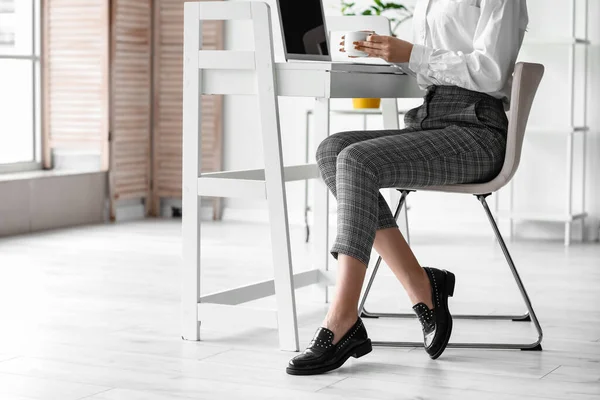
36 105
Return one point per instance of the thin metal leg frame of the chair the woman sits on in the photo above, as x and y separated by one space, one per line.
530 316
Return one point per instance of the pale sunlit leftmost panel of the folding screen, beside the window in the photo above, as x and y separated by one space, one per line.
75 78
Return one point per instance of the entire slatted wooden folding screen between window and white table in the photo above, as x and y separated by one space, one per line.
115 66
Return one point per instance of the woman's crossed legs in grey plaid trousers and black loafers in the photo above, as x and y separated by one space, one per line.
406 159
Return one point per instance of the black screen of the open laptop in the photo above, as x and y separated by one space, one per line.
304 31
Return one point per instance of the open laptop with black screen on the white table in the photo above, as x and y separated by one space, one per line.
306 38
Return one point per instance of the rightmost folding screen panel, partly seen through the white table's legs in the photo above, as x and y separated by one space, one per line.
168 92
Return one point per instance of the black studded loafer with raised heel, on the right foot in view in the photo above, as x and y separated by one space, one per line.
437 323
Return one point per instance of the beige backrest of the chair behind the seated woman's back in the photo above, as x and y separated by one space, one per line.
526 80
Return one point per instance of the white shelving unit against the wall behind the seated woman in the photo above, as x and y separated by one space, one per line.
570 214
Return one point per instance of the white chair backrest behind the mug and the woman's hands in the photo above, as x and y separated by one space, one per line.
338 24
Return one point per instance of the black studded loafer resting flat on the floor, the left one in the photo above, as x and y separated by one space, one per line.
322 355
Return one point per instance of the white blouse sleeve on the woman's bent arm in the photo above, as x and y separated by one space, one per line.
496 41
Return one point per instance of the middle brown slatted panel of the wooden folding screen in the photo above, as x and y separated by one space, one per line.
131 100
